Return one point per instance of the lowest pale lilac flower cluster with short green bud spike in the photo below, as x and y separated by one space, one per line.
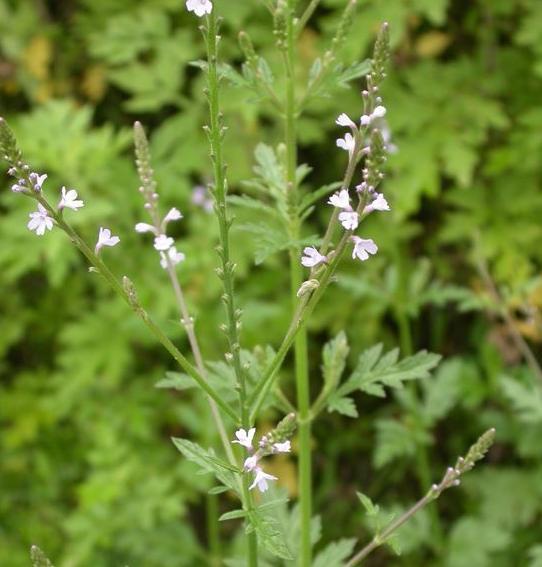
276 441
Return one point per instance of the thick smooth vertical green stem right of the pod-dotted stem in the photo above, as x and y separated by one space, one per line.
296 278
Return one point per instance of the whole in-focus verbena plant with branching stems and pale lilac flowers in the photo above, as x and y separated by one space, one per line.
280 199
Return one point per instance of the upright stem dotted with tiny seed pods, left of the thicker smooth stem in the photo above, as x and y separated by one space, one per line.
216 131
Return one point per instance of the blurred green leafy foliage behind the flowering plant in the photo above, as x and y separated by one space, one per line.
87 469
